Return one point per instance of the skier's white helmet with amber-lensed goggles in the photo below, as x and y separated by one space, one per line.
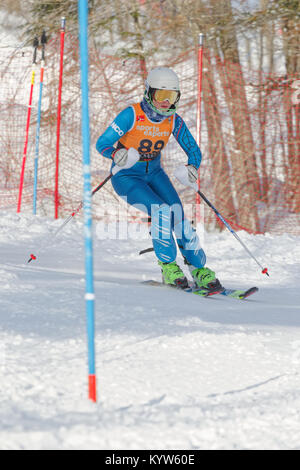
163 78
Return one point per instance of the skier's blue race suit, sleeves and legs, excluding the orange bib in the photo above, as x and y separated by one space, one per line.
146 186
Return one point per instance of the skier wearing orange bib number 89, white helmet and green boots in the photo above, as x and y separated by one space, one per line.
147 127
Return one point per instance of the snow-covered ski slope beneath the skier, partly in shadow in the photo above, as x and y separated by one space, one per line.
174 371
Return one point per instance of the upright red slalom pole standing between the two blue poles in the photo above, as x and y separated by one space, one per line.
62 45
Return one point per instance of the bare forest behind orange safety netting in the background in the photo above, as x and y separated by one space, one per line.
250 133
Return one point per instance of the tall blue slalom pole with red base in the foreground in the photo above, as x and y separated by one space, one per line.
90 295
